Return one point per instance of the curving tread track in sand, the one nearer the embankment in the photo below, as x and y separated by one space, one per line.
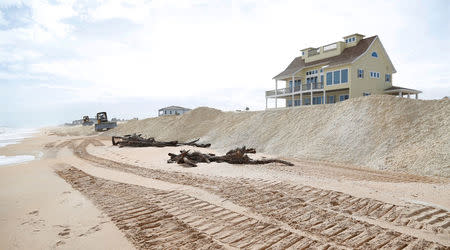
324 213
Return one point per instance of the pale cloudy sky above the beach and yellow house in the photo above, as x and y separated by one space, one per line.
62 59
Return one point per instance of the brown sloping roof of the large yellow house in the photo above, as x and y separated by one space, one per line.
347 56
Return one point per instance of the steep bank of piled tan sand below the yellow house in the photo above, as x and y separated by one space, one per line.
380 132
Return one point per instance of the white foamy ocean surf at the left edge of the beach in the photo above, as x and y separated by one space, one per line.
12 136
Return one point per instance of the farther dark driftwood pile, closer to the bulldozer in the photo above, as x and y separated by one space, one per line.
139 141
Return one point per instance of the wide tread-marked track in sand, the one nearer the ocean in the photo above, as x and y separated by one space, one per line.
152 218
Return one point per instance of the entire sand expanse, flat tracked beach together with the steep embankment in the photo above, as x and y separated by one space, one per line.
135 199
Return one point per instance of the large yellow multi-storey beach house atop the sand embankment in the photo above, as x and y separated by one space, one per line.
354 67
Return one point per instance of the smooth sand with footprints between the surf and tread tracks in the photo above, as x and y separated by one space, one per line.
38 210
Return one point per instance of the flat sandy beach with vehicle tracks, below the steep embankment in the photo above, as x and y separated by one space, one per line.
85 193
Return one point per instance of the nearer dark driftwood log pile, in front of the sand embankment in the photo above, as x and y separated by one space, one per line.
235 156
